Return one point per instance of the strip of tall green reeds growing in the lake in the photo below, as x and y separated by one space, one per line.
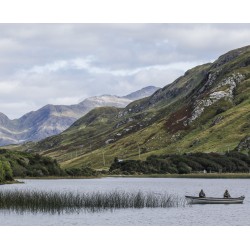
57 202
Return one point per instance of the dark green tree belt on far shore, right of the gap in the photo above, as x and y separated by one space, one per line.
230 162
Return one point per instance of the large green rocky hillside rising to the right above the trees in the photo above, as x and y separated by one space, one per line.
205 110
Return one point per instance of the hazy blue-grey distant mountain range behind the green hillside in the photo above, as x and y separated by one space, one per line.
53 119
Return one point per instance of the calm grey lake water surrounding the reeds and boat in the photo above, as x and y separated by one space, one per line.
191 215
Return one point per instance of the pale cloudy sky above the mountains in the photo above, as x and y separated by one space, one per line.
65 63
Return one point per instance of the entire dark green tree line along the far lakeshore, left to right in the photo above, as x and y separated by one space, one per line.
20 164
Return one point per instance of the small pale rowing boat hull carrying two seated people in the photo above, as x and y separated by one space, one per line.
213 200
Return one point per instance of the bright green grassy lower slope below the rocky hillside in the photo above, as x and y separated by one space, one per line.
218 138
